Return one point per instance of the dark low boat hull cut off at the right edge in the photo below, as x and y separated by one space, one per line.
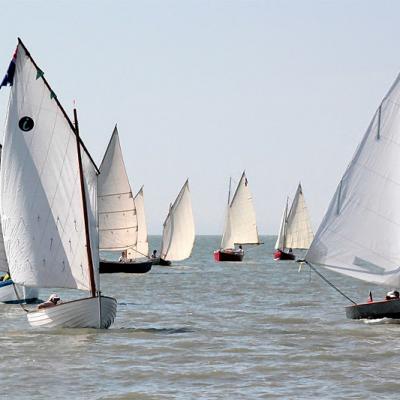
374 310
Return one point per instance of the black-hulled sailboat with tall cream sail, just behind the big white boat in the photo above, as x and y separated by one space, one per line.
118 219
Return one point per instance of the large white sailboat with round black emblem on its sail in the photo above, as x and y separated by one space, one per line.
50 222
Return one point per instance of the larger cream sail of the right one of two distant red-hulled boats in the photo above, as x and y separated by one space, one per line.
298 233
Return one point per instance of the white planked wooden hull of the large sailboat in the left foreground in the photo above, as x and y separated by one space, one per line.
82 313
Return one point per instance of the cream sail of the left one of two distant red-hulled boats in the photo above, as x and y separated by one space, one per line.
240 223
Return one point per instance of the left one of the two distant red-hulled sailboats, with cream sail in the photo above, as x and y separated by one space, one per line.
240 224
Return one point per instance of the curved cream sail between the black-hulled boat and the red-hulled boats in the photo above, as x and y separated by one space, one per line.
178 233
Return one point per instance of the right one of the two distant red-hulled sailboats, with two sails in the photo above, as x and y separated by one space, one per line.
295 231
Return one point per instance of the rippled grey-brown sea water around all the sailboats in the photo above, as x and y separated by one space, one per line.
202 330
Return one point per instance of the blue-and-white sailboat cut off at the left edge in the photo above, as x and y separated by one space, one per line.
10 292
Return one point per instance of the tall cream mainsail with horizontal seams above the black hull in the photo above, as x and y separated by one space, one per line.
118 223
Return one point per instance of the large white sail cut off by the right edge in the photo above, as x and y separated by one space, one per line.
360 233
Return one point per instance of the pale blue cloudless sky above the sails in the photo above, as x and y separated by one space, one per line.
205 89
